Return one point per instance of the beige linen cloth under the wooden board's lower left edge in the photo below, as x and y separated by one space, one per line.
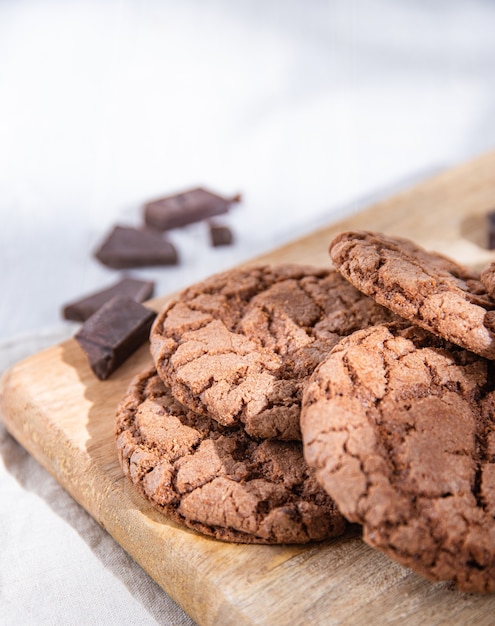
58 566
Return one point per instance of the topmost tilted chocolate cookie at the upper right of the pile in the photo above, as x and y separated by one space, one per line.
426 288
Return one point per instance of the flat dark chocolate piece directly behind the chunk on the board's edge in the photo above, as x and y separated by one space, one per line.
80 310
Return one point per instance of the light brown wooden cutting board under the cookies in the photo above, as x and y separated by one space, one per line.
54 406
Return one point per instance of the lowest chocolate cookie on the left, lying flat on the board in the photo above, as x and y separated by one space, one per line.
218 480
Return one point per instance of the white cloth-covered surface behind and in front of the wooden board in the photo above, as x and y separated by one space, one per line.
309 108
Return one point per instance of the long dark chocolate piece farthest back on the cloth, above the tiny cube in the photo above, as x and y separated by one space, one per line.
185 208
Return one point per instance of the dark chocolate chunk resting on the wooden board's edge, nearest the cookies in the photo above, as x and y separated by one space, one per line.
113 333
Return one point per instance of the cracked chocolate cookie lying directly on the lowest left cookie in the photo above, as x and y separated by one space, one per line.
240 345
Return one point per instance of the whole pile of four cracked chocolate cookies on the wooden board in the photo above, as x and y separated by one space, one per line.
288 400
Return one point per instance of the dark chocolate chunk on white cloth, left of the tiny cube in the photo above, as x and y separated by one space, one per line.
132 247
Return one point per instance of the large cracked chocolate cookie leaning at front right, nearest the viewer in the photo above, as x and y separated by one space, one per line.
400 427
